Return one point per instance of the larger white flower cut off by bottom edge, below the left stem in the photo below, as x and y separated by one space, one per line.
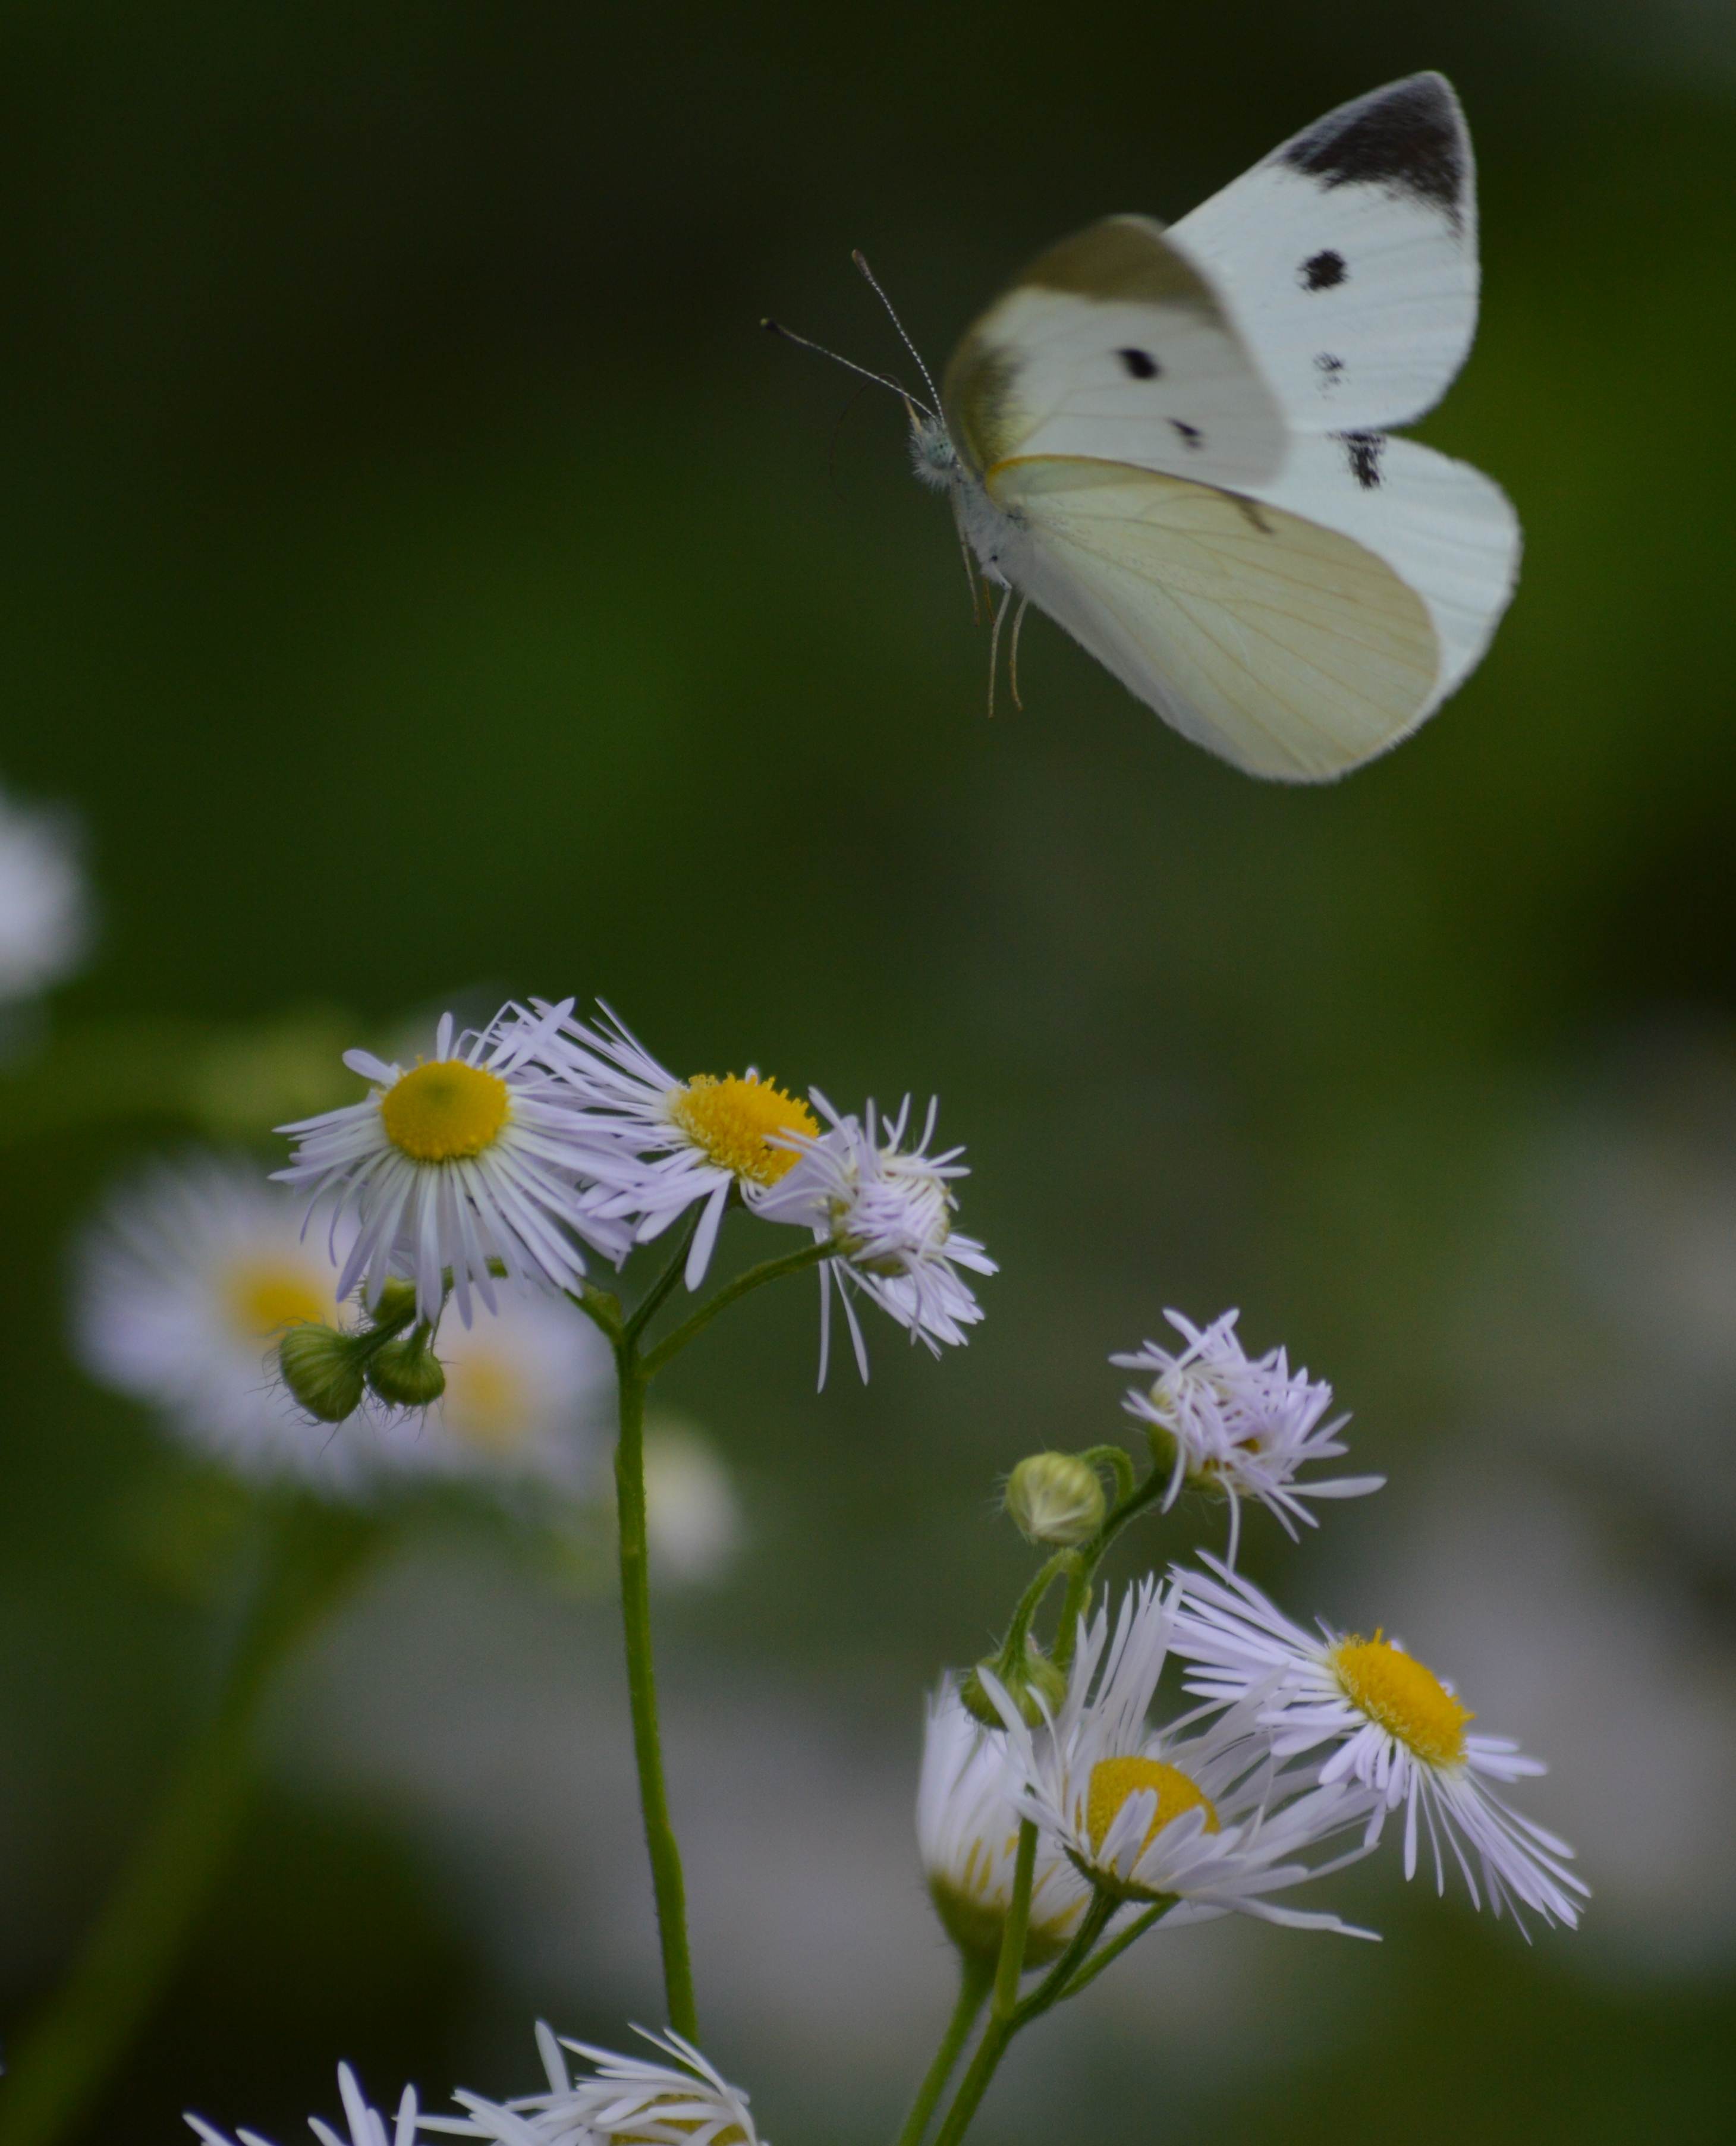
632 2100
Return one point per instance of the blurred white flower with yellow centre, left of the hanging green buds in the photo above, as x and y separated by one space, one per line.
186 1284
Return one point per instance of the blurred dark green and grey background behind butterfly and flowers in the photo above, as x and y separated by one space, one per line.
424 580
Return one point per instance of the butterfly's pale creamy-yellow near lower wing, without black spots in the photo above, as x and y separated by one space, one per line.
1271 641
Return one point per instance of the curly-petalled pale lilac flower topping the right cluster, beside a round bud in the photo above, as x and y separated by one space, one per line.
1241 1426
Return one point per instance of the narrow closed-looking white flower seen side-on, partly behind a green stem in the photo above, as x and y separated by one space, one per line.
969 1840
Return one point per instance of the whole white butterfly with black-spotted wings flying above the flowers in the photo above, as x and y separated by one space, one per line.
1175 443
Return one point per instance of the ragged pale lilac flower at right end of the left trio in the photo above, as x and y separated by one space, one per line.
889 1216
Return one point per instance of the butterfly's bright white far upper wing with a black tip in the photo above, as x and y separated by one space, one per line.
1349 259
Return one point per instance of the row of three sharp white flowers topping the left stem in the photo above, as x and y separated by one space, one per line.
525 1145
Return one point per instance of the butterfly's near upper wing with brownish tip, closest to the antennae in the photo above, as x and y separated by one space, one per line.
1115 347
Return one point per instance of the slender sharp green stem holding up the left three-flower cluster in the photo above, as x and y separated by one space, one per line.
666 1877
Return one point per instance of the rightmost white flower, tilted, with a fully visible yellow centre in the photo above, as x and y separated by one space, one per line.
1396 1731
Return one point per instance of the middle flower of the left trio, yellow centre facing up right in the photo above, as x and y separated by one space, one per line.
662 1145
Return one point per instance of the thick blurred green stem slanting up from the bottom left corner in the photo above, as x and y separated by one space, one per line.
74 2046
